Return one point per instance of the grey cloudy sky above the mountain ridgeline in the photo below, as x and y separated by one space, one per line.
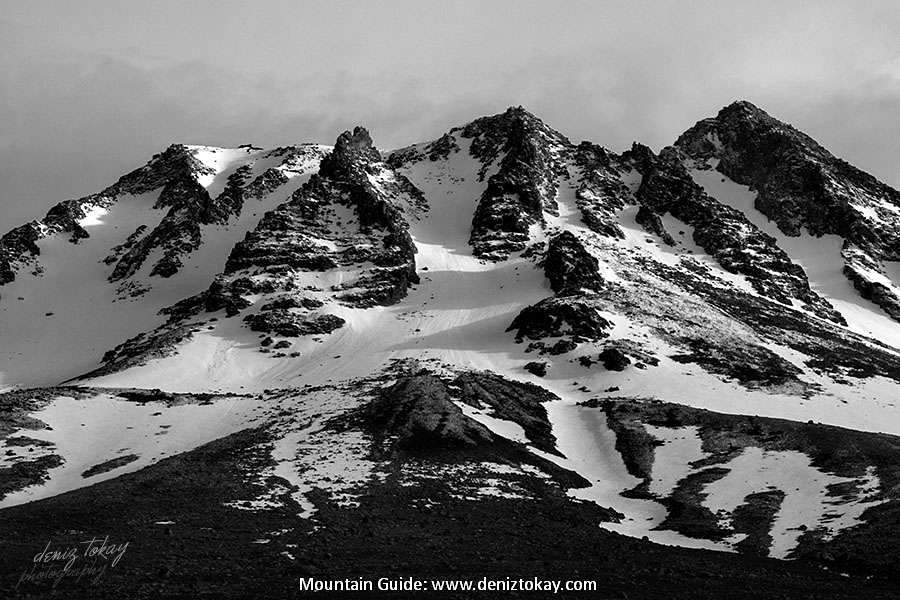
91 89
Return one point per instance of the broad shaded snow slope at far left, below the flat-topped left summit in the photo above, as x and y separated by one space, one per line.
69 314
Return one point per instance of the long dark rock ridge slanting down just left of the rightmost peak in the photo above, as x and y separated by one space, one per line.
725 233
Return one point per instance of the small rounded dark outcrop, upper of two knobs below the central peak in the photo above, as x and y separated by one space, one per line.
570 267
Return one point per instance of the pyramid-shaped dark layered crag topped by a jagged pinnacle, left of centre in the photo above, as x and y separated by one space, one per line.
308 232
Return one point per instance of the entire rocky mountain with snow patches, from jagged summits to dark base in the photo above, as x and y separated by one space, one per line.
496 353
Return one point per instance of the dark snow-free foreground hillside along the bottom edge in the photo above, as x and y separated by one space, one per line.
208 549
